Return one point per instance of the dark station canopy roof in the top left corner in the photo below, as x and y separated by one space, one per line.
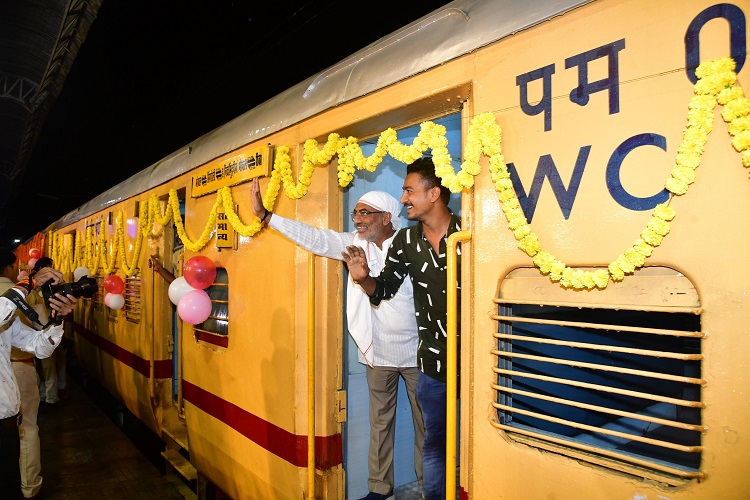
39 39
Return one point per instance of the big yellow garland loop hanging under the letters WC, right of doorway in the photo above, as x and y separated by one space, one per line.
716 83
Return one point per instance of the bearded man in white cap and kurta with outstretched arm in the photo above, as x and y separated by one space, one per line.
386 336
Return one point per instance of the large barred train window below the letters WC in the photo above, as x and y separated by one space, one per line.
612 377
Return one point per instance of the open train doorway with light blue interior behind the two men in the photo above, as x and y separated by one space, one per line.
388 177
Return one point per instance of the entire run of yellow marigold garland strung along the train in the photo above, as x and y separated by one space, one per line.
717 84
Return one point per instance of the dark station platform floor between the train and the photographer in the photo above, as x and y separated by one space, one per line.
87 455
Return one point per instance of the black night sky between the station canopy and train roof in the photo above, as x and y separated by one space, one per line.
154 75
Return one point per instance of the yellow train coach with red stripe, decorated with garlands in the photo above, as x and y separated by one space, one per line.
598 156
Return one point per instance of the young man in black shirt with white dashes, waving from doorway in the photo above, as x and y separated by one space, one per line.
419 251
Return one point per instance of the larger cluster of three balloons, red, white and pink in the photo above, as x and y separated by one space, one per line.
187 292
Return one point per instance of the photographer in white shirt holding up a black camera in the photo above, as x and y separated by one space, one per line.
14 333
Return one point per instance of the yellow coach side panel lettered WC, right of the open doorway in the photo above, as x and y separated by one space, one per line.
591 128
